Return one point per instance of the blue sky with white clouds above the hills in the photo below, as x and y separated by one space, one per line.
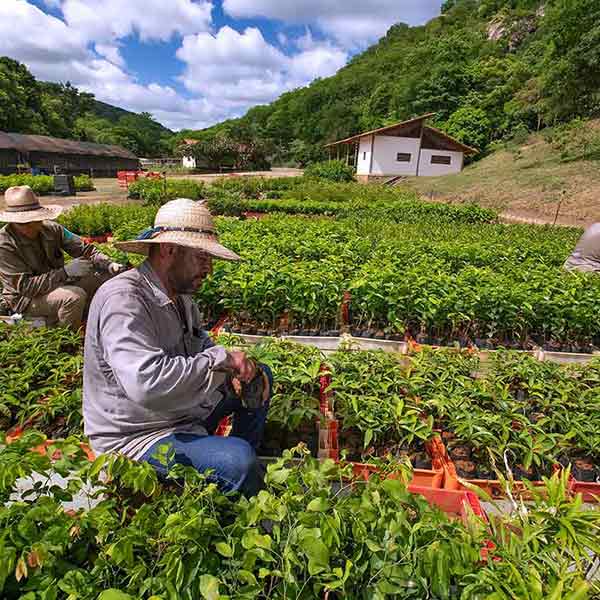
192 63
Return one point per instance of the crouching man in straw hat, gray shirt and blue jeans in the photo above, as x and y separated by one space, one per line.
152 379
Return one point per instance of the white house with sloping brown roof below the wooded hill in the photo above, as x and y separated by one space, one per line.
407 148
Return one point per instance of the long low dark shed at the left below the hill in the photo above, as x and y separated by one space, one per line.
73 157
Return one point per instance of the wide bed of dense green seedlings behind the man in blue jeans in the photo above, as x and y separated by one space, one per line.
440 283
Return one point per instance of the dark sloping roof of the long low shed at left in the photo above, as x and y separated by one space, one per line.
42 143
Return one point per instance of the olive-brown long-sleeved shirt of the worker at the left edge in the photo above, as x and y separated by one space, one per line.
31 268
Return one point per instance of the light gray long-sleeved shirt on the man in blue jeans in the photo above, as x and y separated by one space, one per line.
146 374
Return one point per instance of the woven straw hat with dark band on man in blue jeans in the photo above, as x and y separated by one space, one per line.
183 222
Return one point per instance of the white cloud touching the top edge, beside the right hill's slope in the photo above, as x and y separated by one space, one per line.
352 22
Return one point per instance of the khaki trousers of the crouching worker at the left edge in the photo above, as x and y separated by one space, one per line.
67 304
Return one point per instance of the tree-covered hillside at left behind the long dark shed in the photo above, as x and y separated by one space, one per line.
61 110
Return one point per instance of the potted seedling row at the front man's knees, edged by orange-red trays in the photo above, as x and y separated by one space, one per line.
521 414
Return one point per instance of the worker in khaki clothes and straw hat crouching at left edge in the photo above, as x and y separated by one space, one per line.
35 280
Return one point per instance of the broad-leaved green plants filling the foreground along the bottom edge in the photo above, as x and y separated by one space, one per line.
308 532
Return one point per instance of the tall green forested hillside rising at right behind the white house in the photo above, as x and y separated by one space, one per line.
490 69
